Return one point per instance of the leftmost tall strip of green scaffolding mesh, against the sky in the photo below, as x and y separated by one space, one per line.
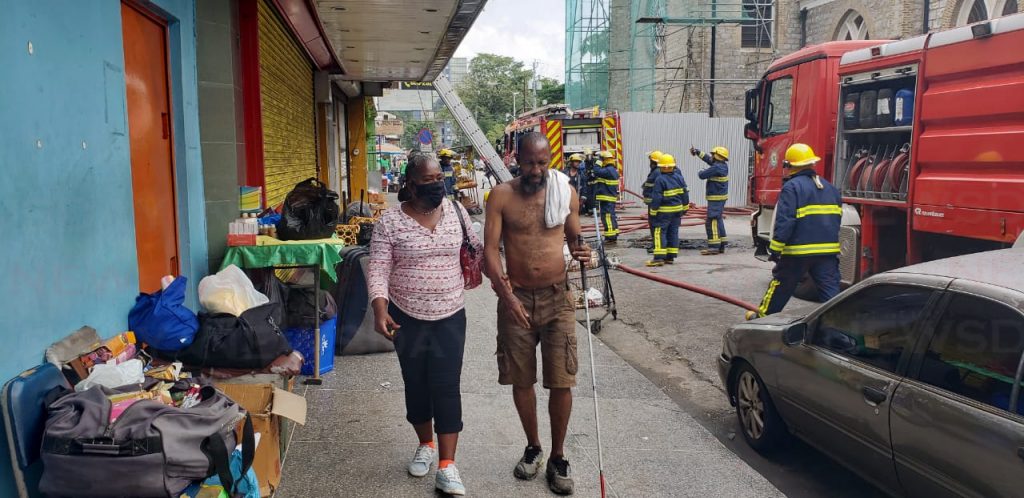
587 33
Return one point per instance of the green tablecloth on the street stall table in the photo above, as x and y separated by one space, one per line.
323 253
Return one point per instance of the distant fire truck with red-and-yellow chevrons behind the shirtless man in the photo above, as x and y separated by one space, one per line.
569 133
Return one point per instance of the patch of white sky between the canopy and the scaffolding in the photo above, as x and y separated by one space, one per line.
525 30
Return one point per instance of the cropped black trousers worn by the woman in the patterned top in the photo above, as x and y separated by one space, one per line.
431 356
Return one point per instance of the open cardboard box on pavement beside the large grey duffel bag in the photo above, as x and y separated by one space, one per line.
268 406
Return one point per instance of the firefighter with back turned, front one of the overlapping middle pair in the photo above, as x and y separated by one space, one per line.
668 202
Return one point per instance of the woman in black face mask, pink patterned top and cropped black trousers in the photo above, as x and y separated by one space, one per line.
416 290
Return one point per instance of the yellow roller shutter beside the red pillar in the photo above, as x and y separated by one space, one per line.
287 107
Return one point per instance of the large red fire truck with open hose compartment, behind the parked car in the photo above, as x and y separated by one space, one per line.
924 138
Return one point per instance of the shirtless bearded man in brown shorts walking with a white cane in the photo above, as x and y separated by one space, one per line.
535 305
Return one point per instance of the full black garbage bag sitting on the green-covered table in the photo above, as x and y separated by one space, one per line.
311 212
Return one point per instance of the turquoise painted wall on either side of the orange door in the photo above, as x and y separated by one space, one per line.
67 235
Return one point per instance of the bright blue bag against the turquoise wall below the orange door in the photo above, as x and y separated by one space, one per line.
162 320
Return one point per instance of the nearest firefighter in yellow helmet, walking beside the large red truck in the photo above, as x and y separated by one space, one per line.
805 237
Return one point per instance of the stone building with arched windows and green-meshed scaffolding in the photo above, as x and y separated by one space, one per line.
667 67
